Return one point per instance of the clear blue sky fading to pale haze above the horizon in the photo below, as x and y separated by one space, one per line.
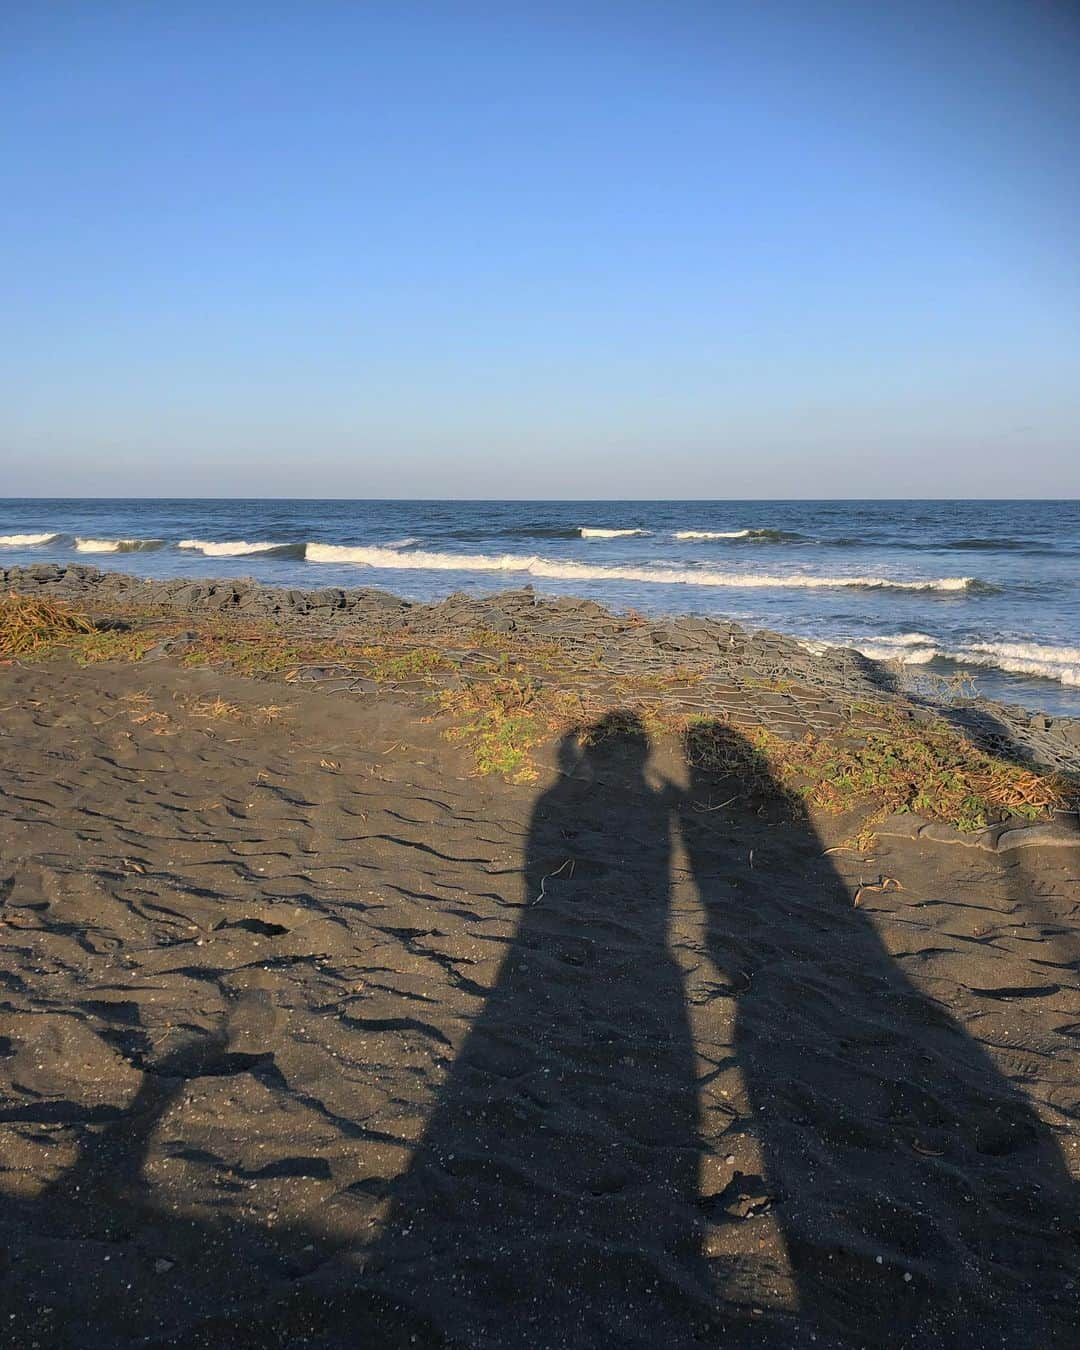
670 249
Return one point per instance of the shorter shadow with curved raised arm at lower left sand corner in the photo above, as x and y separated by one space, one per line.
92 1251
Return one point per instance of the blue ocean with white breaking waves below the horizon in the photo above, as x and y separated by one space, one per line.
988 588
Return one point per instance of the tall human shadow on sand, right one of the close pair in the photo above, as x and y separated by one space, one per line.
920 1198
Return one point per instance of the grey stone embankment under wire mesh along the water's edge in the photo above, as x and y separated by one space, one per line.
720 651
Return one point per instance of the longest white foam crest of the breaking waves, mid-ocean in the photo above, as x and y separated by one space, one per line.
535 566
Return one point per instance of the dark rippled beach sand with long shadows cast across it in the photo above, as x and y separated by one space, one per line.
303 1043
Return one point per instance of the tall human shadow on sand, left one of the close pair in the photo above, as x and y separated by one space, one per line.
553 1197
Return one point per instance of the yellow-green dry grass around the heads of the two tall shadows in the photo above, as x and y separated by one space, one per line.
888 763
